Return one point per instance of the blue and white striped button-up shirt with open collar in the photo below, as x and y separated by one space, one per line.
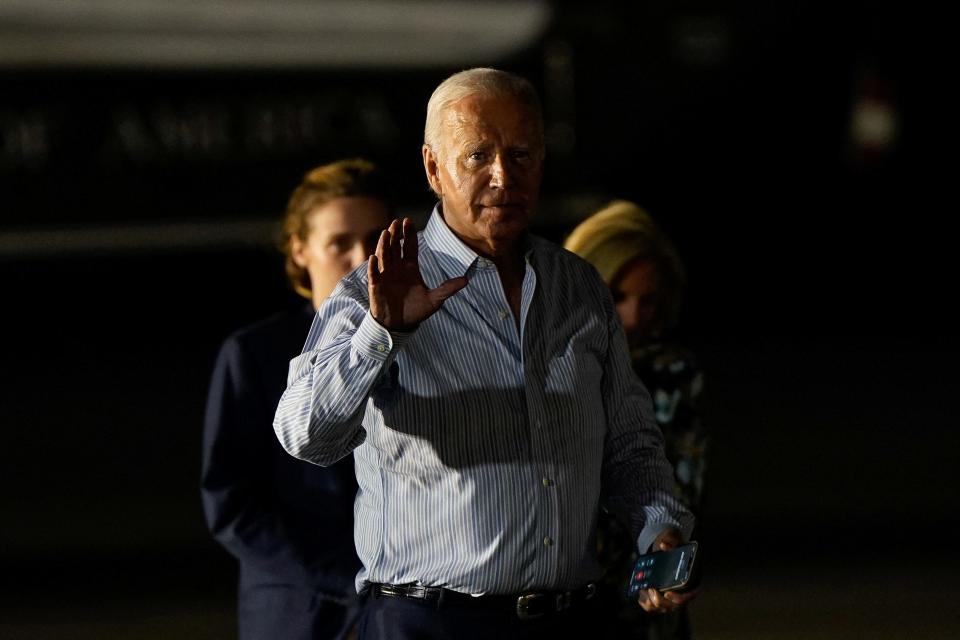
483 452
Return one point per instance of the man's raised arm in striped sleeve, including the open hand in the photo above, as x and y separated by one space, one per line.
349 349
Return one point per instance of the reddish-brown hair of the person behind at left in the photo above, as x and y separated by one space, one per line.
353 178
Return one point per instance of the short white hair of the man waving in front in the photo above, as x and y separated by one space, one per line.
483 81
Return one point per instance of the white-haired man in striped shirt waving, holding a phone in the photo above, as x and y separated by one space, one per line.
481 377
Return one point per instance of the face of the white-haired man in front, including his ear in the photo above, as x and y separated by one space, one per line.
488 170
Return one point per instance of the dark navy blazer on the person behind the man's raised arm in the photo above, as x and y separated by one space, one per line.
288 522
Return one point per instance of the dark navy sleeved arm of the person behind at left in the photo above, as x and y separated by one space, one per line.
240 510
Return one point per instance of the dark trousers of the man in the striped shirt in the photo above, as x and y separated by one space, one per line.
386 618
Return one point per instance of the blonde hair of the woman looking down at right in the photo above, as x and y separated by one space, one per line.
622 233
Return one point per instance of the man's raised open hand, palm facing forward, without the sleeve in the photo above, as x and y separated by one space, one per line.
399 299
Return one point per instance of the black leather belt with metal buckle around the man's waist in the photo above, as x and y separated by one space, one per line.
534 604
